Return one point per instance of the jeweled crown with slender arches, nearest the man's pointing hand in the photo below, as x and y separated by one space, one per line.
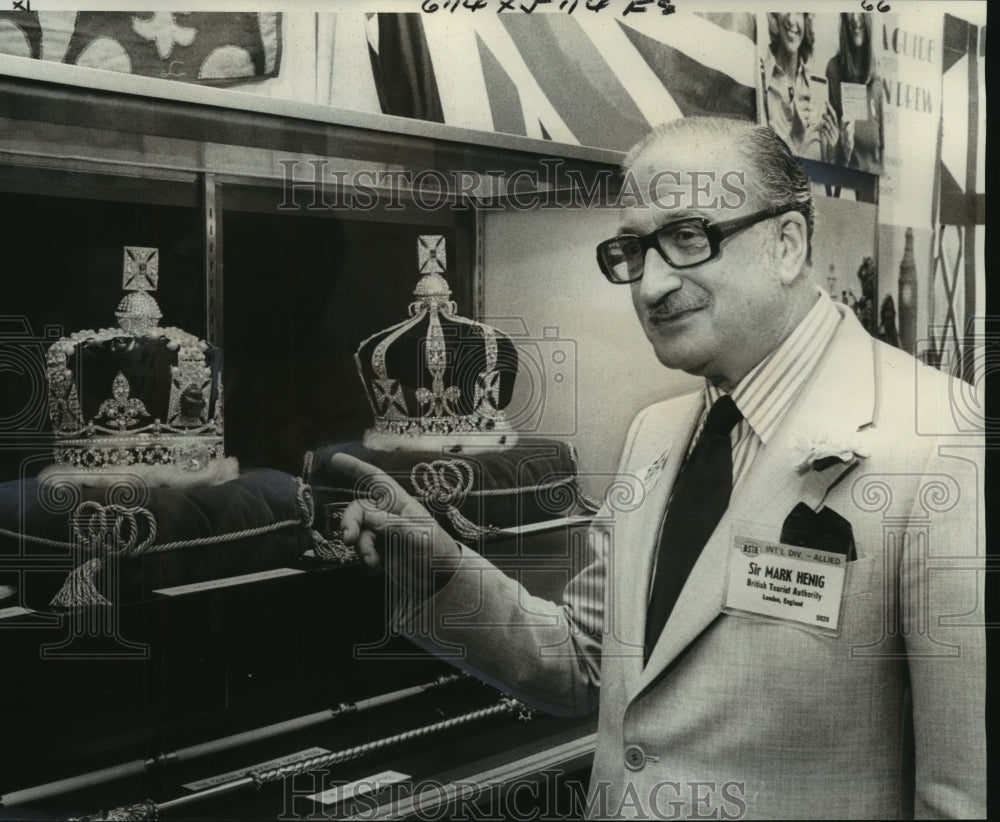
437 379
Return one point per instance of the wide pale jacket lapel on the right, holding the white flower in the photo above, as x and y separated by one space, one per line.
839 395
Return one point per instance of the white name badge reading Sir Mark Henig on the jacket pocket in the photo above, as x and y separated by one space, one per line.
800 586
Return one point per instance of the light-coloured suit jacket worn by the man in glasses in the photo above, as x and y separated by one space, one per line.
744 717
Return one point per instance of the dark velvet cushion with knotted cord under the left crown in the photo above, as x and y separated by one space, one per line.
227 512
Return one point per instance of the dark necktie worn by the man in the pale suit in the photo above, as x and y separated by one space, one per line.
699 499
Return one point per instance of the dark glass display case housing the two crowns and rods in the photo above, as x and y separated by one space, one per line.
228 658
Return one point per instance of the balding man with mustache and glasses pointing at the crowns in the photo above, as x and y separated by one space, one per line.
723 694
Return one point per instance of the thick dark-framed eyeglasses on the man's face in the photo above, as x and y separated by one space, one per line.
682 243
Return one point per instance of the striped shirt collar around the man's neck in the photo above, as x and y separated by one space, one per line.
765 394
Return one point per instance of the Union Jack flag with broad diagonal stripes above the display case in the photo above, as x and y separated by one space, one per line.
589 80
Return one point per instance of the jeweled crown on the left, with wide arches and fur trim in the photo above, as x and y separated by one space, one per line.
138 398
